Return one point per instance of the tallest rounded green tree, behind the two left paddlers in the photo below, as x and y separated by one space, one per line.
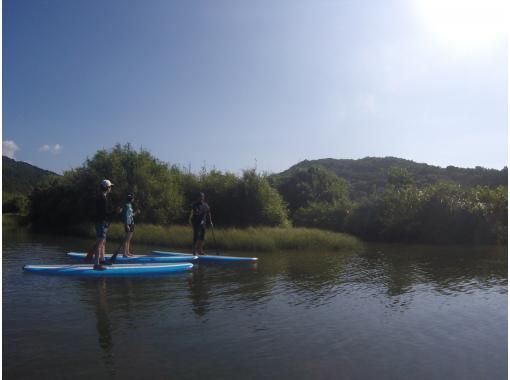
71 198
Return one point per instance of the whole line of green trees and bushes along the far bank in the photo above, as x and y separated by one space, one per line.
442 212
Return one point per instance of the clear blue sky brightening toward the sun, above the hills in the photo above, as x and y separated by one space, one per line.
237 84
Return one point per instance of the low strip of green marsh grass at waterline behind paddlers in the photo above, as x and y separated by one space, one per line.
265 239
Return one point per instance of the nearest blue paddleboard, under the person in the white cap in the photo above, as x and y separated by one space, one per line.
110 271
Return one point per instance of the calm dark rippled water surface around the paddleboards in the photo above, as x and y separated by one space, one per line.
383 312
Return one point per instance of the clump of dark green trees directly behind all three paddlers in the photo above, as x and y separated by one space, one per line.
164 193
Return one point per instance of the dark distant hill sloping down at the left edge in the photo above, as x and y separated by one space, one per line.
20 178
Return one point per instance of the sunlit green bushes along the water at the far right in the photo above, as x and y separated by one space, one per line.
441 213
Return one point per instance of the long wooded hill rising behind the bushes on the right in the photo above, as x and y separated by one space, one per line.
369 174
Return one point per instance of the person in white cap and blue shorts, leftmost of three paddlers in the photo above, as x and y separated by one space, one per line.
103 214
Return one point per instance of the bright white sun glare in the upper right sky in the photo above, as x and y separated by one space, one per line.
465 24
